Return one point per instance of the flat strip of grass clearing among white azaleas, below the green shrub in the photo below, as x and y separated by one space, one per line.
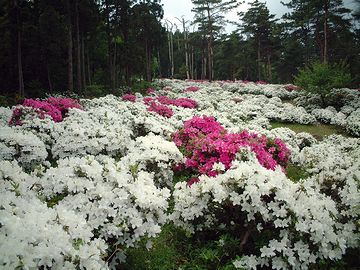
319 131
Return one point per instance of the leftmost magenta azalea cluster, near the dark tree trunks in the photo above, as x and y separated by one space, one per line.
56 108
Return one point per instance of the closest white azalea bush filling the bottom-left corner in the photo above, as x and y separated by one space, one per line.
32 235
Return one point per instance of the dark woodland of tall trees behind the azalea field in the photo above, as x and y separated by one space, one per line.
94 47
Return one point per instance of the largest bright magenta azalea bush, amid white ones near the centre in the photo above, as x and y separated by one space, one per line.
204 142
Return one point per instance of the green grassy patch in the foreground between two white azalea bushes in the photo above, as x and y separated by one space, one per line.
173 249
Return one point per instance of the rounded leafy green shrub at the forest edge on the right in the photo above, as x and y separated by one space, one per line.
320 78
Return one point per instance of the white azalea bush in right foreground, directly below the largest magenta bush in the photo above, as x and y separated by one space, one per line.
267 199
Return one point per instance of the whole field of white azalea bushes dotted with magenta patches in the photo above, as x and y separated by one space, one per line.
78 192
